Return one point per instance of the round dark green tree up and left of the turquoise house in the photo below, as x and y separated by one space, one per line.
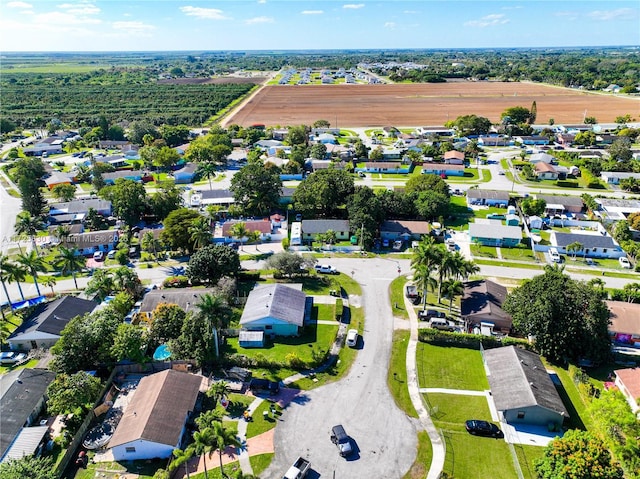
211 263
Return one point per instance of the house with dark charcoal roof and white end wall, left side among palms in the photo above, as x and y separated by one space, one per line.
42 329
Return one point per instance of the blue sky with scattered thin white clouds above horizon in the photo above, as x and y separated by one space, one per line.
201 25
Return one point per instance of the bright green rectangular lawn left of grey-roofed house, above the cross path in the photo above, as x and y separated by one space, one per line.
450 367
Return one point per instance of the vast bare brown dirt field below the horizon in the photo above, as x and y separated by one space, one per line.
422 104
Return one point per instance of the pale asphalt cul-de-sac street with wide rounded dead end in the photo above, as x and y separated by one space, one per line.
384 437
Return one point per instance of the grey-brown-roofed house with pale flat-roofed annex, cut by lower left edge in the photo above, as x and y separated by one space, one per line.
22 398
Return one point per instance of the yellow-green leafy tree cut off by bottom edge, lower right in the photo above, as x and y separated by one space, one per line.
577 455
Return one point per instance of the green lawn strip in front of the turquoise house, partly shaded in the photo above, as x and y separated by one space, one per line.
314 338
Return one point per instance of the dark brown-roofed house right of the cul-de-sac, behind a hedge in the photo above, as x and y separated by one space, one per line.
482 303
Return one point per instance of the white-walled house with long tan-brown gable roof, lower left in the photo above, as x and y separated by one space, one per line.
154 422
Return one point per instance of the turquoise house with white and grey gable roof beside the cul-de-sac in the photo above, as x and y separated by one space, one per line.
276 309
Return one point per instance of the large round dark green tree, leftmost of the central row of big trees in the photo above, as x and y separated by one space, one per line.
256 188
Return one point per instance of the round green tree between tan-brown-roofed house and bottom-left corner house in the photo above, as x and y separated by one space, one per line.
69 392
